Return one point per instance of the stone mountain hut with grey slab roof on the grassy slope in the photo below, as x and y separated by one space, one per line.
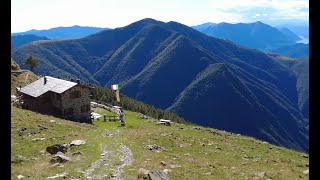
66 99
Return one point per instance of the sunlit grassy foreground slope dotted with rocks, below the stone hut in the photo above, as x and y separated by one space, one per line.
202 154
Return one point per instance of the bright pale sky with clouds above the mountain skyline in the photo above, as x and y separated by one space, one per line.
46 14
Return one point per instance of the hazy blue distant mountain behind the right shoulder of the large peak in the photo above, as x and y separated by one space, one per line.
253 35
